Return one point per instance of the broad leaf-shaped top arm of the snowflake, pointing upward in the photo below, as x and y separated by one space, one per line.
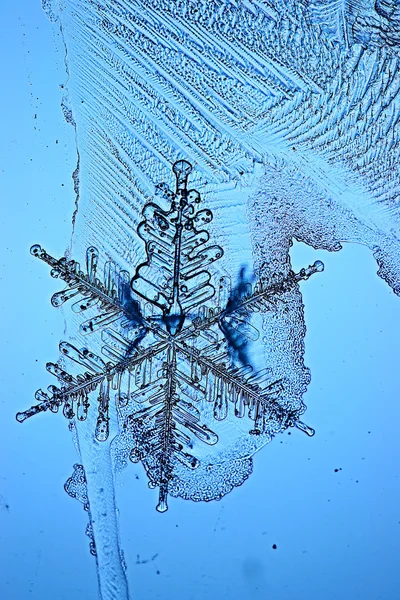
175 277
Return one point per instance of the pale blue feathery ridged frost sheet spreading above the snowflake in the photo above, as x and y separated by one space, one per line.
309 90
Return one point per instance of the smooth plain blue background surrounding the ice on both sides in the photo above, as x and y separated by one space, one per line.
337 533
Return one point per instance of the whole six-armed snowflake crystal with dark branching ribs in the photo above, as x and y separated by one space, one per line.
174 346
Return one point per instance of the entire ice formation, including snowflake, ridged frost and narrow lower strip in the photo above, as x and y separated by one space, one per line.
187 327
